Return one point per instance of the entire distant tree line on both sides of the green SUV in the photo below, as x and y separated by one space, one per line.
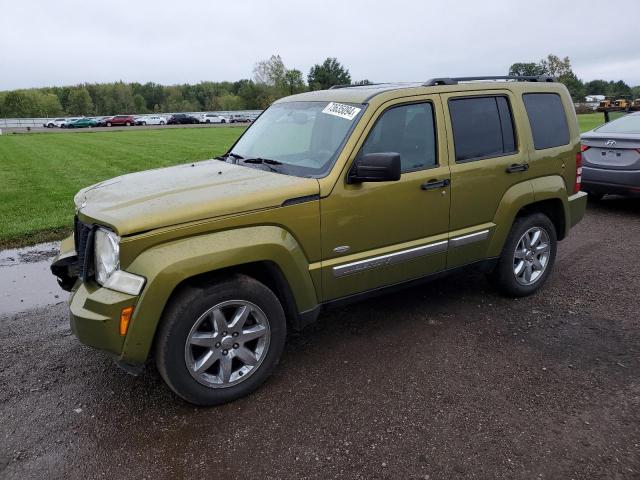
271 80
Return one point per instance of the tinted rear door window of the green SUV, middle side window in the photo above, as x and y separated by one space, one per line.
482 127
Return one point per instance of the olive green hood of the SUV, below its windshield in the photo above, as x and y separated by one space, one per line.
151 199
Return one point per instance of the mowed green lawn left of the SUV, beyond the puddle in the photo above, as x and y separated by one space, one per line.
40 173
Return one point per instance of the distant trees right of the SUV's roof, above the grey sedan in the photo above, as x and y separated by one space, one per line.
560 68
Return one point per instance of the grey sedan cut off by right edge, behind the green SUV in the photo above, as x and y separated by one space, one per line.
611 158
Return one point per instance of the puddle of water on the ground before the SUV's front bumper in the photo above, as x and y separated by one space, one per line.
26 280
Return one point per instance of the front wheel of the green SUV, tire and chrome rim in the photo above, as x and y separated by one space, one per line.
220 342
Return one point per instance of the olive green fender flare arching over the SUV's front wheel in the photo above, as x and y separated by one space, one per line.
167 265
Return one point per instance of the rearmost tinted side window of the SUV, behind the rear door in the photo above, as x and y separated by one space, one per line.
547 119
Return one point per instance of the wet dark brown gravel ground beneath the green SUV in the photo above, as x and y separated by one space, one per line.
448 380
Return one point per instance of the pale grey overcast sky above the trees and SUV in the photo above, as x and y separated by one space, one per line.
62 42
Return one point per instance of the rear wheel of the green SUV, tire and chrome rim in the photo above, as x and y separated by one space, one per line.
527 257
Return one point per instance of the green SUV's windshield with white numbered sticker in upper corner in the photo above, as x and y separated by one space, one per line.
305 137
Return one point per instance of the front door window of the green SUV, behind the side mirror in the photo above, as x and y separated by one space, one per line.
407 130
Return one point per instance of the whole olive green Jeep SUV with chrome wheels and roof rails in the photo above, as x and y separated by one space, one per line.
328 197
